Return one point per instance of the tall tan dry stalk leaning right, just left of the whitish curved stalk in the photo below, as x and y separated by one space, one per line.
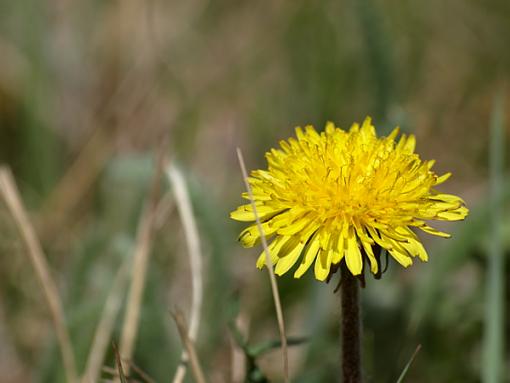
140 263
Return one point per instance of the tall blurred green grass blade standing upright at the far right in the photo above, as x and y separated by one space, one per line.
493 349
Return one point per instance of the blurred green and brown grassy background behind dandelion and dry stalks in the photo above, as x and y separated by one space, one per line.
89 88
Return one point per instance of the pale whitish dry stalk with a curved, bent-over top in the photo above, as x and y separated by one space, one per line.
195 258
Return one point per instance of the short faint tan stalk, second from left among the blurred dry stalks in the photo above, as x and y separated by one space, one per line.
105 326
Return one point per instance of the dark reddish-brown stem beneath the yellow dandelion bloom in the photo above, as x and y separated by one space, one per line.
351 328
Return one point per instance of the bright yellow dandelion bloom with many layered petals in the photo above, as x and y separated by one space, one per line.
340 195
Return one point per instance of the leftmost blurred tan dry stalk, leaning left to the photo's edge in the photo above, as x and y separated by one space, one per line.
14 203
